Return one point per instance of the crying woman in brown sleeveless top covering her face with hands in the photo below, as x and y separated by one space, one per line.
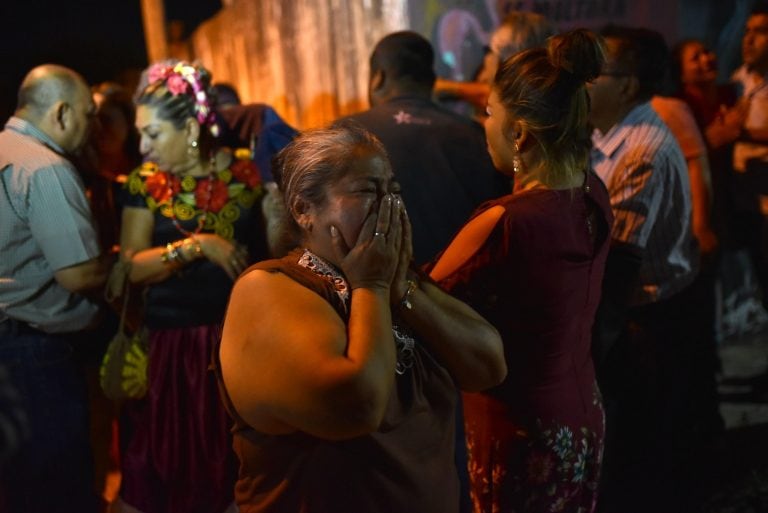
343 387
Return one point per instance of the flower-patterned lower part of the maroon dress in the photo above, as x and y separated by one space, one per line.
531 466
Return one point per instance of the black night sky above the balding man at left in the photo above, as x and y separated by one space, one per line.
100 39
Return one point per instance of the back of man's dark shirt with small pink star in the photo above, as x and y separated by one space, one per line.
441 162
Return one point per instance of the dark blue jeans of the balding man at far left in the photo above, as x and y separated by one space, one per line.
52 471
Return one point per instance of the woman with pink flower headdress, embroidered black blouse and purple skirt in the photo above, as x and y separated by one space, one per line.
189 227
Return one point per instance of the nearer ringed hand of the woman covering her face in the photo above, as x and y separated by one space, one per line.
373 260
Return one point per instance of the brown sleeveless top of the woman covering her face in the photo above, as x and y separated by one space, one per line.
405 466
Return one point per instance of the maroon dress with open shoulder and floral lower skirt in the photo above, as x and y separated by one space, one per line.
535 441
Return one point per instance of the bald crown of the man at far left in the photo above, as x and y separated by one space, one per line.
44 86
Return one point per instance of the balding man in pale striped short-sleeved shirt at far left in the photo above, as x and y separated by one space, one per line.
49 259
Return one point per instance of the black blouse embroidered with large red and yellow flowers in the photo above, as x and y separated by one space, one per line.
225 203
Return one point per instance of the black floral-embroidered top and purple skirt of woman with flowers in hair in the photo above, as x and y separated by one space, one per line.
178 455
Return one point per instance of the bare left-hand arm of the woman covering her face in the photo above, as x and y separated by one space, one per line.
295 366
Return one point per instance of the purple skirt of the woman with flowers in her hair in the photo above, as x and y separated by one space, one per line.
177 455
